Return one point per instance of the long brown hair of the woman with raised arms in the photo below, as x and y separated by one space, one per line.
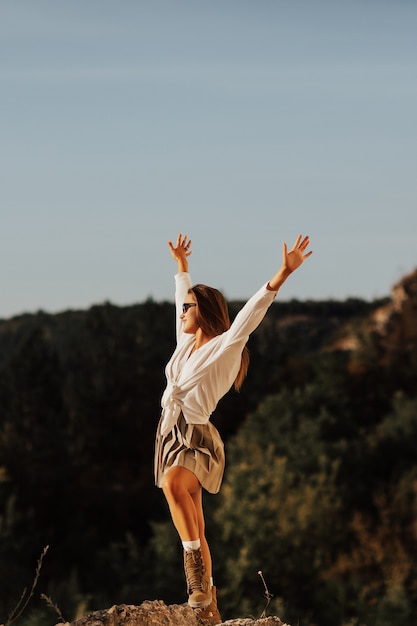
213 319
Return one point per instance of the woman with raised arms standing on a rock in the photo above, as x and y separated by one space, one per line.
210 357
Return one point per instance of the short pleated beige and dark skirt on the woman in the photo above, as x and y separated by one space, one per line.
198 447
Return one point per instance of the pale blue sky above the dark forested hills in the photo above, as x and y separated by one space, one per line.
241 123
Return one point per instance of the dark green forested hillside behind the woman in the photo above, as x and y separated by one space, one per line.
320 489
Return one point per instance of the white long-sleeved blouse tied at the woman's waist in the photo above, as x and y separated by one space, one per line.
196 382
